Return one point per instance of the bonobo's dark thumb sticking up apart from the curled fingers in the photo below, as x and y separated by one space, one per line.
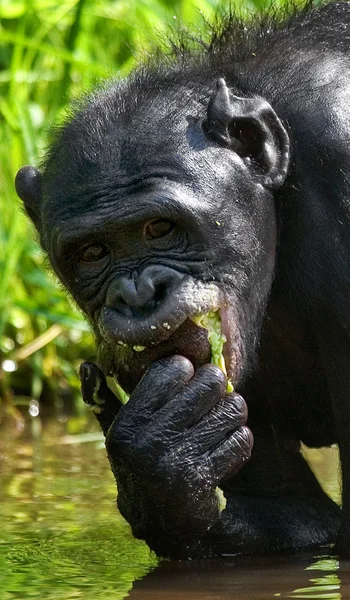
96 394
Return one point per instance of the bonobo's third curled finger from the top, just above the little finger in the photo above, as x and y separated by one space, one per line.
226 416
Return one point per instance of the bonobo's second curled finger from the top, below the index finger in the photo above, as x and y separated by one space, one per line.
205 389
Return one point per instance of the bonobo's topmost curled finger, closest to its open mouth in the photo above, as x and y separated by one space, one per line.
161 382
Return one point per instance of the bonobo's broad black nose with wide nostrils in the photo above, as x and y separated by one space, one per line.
138 294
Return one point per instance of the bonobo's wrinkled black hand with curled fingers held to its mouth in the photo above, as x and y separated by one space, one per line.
179 435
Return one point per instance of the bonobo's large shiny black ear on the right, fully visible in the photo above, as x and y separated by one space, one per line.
252 129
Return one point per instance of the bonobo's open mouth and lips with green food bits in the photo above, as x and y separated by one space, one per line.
128 346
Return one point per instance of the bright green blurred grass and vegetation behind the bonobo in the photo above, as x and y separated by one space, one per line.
51 51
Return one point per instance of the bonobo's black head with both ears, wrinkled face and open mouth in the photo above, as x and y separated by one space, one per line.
155 204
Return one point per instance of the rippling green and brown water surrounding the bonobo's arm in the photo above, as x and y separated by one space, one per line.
61 537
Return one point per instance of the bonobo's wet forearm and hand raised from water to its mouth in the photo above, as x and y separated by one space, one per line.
175 441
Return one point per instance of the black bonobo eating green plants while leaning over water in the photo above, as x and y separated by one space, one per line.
217 180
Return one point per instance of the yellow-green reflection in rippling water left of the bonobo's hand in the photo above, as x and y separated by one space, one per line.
61 536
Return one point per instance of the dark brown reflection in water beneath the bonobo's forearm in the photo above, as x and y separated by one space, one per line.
245 578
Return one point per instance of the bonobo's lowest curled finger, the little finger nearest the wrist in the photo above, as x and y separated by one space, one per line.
230 456
